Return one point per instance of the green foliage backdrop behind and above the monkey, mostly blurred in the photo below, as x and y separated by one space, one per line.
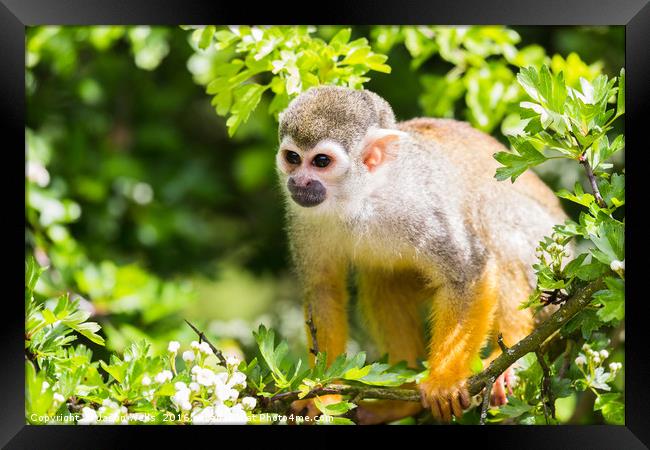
151 191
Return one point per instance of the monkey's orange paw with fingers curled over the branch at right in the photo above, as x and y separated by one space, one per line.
444 399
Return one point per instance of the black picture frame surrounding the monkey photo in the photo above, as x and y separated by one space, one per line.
16 14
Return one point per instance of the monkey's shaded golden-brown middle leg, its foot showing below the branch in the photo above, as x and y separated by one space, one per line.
389 301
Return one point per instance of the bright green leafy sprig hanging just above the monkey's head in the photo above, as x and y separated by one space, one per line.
283 59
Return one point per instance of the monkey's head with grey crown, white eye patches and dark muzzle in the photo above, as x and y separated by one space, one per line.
331 139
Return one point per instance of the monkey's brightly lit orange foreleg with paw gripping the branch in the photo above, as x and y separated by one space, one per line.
462 320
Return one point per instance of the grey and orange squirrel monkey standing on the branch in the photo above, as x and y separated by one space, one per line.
415 209
